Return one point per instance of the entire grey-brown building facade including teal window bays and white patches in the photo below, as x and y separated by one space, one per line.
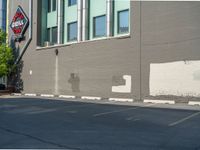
108 48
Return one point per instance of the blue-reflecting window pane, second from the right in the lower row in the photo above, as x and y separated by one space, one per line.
99 29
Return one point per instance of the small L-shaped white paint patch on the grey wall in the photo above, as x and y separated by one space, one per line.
123 88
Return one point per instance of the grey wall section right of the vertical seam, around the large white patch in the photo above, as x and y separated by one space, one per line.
170 33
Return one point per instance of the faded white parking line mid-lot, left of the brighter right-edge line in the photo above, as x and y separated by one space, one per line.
121 110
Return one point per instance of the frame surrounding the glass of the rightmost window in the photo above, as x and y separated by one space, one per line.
118 22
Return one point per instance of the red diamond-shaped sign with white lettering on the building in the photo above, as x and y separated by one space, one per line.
19 22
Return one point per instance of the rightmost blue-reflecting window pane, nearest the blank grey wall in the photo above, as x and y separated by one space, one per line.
123 21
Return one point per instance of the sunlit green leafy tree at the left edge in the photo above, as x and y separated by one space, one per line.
6 56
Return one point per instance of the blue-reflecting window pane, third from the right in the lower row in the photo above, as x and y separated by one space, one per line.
72 31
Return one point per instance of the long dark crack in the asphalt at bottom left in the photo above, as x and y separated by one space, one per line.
38 139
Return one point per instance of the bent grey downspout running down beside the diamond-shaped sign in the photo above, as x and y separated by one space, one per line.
30 32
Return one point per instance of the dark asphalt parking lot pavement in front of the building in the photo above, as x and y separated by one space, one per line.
48 123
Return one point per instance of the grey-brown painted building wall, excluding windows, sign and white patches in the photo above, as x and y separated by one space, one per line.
161 32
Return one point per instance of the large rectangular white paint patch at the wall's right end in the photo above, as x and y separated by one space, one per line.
180 78
